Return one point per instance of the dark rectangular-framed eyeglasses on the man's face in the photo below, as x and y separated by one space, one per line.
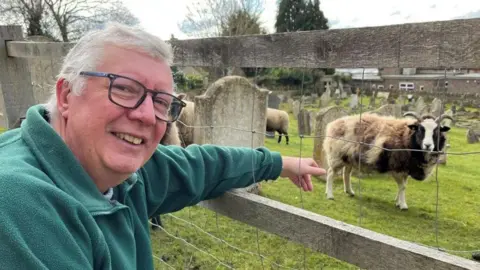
129 93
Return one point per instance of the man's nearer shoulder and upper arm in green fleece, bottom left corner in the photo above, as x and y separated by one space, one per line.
42 229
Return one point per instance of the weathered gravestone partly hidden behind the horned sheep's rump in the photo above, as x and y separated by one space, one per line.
324 116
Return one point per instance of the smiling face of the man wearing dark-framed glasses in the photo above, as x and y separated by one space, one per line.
97 130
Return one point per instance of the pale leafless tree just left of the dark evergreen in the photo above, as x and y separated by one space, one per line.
207 18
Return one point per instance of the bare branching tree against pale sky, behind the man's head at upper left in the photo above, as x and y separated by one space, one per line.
65 20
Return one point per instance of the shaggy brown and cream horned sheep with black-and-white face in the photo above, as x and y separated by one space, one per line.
378 135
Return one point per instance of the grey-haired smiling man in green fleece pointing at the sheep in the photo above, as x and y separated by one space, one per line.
85 172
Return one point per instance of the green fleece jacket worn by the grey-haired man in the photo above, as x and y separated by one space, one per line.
54 217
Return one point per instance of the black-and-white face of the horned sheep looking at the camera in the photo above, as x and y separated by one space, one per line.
426 135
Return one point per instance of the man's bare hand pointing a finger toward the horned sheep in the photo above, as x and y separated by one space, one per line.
299 170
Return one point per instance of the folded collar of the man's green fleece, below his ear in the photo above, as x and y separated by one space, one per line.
59 163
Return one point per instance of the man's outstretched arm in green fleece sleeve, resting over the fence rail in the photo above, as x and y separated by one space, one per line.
176 177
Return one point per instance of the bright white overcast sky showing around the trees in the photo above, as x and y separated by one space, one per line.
161 17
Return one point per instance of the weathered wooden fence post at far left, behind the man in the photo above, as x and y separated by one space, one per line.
16 93
